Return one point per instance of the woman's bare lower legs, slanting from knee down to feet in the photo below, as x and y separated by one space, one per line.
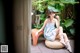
64 39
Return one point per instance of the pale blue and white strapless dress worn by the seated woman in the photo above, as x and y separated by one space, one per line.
49 32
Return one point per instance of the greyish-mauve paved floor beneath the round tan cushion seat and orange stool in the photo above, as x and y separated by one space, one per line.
41 48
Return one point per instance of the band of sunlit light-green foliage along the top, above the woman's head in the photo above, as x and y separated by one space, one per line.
41 5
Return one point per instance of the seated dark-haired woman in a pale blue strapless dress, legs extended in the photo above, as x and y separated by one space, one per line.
52 27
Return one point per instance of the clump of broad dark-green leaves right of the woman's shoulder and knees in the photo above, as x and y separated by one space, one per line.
67 25
